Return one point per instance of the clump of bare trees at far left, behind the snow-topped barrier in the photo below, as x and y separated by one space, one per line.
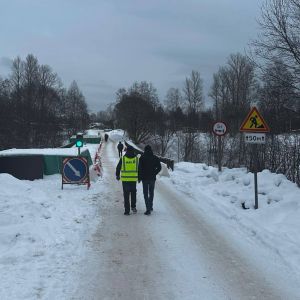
35 106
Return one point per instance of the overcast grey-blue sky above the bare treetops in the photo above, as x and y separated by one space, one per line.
108 44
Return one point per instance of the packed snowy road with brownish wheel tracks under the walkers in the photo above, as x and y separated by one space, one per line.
173 254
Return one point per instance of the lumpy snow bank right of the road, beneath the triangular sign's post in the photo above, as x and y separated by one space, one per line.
275 225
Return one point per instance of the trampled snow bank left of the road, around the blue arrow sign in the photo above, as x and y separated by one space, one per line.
42 234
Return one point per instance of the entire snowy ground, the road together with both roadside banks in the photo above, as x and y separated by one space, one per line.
198 243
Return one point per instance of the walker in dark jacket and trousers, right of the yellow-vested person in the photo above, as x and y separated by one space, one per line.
149 167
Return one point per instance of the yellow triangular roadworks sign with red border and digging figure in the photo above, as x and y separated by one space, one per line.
254 122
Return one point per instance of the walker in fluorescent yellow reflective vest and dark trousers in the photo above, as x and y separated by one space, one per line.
127 171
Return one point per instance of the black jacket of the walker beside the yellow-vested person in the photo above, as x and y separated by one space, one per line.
149 166
